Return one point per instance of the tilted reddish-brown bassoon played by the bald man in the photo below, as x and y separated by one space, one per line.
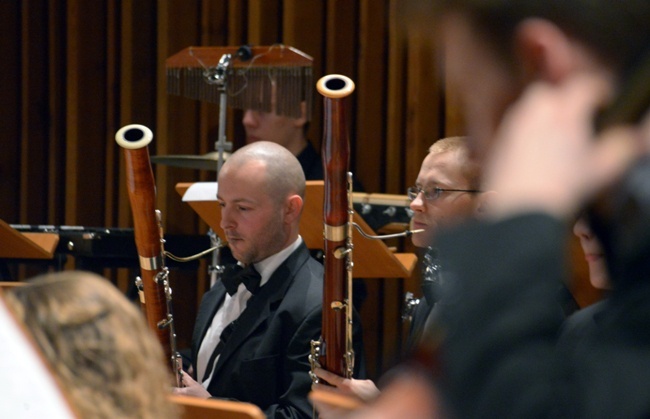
155 292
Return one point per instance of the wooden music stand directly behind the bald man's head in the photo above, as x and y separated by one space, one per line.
372 258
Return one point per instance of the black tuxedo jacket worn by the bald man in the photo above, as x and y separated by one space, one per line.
265 361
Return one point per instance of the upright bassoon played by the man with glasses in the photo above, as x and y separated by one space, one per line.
334 352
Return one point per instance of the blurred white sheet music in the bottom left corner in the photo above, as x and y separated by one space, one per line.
27 389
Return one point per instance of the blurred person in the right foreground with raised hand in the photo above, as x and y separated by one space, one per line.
535 78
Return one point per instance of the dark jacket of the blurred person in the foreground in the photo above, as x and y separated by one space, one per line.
501 318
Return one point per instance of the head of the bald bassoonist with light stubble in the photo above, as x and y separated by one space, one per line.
261 192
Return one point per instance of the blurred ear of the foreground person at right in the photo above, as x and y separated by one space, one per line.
545 51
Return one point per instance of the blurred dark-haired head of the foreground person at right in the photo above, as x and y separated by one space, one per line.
495 48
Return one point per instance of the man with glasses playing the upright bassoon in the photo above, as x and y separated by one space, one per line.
444 193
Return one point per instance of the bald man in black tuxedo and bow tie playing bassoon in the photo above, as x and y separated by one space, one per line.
253 331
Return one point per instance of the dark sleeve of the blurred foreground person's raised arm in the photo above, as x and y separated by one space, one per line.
501 318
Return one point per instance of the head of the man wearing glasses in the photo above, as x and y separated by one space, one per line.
447 167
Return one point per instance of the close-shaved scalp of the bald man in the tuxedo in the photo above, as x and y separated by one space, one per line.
284 174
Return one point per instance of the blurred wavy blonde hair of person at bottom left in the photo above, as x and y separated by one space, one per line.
98 343
